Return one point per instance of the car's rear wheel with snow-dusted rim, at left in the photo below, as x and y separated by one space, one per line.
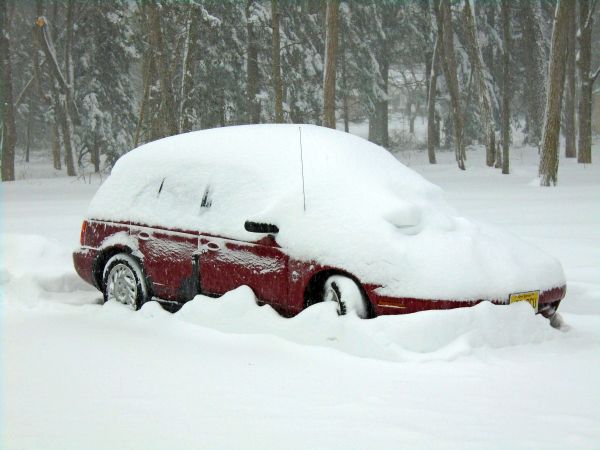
123 280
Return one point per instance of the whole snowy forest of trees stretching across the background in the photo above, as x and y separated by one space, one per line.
89 80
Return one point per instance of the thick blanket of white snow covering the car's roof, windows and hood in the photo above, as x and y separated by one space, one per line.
365 211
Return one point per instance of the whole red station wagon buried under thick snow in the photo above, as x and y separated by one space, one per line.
300 214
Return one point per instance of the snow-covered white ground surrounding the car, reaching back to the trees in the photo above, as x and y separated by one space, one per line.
228 374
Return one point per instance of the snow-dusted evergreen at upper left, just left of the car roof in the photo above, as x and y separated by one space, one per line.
106 96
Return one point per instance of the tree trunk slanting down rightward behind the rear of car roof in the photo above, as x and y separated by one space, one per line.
160 58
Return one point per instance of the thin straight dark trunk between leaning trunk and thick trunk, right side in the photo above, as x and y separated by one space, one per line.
506 85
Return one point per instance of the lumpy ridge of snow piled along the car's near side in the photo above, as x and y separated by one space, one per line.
424 336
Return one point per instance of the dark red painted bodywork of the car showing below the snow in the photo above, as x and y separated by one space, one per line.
180 264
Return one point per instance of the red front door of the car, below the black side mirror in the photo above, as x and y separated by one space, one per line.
227 264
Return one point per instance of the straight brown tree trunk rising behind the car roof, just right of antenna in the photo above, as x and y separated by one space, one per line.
331 38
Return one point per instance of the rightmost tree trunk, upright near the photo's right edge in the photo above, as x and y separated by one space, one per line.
584 154
